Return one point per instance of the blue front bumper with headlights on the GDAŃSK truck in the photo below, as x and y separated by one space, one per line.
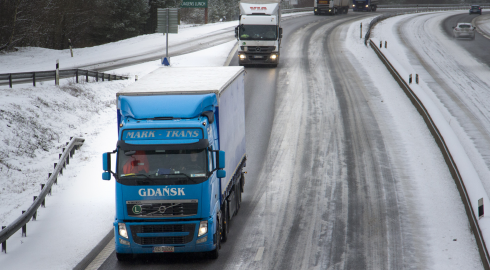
143 237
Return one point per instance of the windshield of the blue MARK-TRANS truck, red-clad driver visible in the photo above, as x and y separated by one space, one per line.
162 167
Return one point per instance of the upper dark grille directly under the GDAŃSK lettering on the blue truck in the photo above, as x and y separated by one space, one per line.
161 208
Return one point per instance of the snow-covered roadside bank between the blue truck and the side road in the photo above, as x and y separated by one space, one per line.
36 122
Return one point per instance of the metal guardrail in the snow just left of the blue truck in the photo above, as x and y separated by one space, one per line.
26 216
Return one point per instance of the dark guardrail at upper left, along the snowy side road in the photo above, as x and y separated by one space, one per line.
11 77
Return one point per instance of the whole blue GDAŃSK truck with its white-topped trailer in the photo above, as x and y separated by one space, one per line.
180 157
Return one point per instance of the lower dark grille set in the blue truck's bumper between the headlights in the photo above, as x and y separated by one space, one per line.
168 240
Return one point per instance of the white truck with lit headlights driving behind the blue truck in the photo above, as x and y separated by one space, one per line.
259 32
